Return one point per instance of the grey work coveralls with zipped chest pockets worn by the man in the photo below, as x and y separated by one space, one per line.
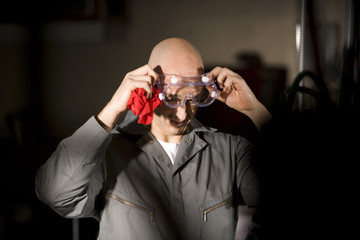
126 180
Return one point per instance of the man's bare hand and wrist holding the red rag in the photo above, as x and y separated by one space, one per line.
143 77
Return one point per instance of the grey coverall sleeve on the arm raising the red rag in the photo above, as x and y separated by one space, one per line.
72 177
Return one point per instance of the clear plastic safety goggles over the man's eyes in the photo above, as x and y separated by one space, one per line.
176 90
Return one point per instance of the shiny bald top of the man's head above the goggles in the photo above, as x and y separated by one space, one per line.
176 55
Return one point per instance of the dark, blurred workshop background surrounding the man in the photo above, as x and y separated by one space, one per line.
61 61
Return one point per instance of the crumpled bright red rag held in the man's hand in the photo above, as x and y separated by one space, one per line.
140 105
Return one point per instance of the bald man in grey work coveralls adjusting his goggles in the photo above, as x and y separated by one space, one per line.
173 179
